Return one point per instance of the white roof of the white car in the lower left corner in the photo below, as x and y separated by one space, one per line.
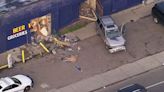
4 82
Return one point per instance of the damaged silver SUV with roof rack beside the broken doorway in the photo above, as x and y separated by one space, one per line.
110 33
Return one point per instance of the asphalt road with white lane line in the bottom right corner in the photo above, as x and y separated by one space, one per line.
152 80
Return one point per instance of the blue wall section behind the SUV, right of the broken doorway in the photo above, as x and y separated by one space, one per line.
107 7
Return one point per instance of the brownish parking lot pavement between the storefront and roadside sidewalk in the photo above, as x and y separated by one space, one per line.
144 38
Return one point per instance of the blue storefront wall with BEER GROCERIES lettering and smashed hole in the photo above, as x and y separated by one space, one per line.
22 20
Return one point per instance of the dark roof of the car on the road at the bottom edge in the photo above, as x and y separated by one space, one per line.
131 88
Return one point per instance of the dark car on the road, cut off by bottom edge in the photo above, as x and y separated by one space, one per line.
133 88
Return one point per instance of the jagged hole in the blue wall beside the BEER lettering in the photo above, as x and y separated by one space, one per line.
41 27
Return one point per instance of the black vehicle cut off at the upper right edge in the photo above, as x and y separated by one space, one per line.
158 12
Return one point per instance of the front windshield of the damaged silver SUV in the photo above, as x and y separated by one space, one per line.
113 34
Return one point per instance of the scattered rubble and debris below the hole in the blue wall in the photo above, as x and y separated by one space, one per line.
64 48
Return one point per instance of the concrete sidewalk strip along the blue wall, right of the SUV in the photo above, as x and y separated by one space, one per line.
133 14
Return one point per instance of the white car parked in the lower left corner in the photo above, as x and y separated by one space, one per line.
17 83
